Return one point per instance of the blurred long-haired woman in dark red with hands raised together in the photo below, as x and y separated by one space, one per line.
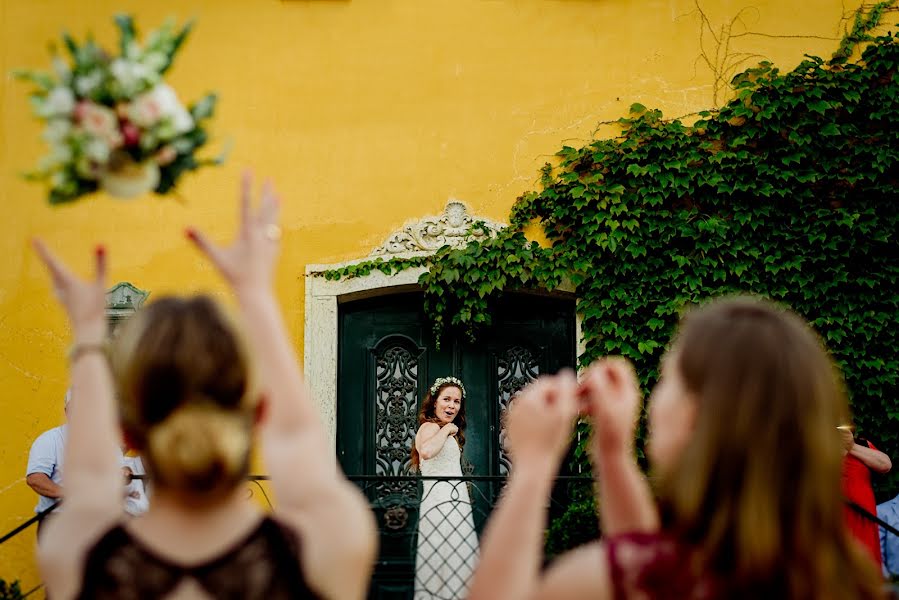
746 456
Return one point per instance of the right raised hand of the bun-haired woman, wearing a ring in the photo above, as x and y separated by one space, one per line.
248 262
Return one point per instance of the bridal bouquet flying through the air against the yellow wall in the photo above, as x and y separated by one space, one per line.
112 122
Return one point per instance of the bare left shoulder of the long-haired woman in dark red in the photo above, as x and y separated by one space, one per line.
580 573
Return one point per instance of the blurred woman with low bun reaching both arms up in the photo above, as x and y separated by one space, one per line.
188 403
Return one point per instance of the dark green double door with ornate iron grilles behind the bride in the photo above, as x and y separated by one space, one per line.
387 360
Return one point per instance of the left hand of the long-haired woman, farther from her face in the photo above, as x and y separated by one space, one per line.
540 423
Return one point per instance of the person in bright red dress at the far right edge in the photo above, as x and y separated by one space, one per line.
861 457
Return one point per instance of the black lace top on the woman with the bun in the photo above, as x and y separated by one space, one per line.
264 565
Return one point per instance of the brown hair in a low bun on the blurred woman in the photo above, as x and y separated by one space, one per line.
185 396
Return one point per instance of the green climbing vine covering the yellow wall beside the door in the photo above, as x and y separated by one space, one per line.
788 191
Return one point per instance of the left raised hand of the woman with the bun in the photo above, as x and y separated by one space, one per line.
84 300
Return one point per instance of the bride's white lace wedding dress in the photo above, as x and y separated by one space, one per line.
447 548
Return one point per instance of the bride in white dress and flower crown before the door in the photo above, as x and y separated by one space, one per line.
447 544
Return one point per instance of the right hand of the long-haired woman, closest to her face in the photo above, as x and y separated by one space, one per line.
611 395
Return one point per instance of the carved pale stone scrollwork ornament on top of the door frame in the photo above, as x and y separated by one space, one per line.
456 227
